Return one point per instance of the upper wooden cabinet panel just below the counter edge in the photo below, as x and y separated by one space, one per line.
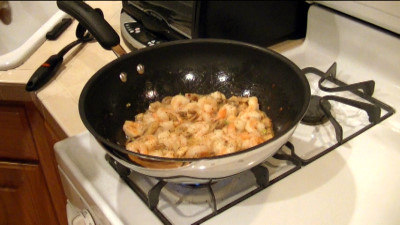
16 141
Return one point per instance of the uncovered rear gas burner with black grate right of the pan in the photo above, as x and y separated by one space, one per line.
350 109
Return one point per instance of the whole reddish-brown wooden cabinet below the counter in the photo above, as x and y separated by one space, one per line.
30 186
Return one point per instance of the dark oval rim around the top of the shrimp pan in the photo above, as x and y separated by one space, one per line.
110 144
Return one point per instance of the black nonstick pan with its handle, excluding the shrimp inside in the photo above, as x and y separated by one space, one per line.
127 85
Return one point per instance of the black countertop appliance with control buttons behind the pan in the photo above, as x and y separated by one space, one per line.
258 22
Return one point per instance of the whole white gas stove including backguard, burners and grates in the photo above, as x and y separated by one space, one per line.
343 152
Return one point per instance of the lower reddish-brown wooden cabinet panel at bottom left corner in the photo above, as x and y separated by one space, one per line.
24 198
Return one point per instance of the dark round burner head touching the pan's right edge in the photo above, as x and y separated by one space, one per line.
315 115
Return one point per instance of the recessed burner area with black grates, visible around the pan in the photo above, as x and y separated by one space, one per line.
324 127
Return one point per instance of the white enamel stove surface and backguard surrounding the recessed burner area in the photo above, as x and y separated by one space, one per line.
357 183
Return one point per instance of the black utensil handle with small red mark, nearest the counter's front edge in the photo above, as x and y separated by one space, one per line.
44 73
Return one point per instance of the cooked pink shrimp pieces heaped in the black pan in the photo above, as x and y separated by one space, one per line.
195 126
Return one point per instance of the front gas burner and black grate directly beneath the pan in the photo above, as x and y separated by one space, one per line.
208 199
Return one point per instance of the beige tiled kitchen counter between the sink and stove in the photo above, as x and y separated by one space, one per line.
60 97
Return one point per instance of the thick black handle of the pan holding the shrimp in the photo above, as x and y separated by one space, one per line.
93 21
